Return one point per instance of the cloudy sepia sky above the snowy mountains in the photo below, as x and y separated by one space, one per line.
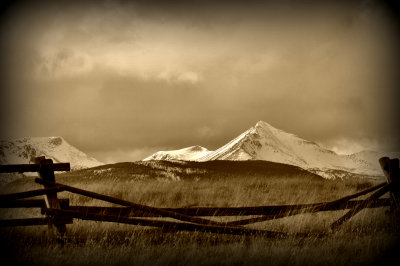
121 80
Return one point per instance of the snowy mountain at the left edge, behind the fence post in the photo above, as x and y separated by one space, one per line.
24 150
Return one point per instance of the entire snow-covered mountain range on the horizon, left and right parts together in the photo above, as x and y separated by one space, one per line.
261 142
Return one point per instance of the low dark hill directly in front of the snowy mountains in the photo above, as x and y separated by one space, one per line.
184 170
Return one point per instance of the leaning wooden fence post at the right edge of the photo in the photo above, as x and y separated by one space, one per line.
390 168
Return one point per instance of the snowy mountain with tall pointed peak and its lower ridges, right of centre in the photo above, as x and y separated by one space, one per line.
265 142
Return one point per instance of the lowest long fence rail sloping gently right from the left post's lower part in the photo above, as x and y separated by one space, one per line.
169 225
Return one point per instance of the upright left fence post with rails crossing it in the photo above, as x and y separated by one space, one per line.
46 172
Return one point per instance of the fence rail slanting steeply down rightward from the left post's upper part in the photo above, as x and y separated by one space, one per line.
154 210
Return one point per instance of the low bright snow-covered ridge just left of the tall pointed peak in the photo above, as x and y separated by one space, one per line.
192 153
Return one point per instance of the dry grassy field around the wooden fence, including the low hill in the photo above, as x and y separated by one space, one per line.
369 238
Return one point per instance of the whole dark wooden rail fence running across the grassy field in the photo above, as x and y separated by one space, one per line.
58 212
